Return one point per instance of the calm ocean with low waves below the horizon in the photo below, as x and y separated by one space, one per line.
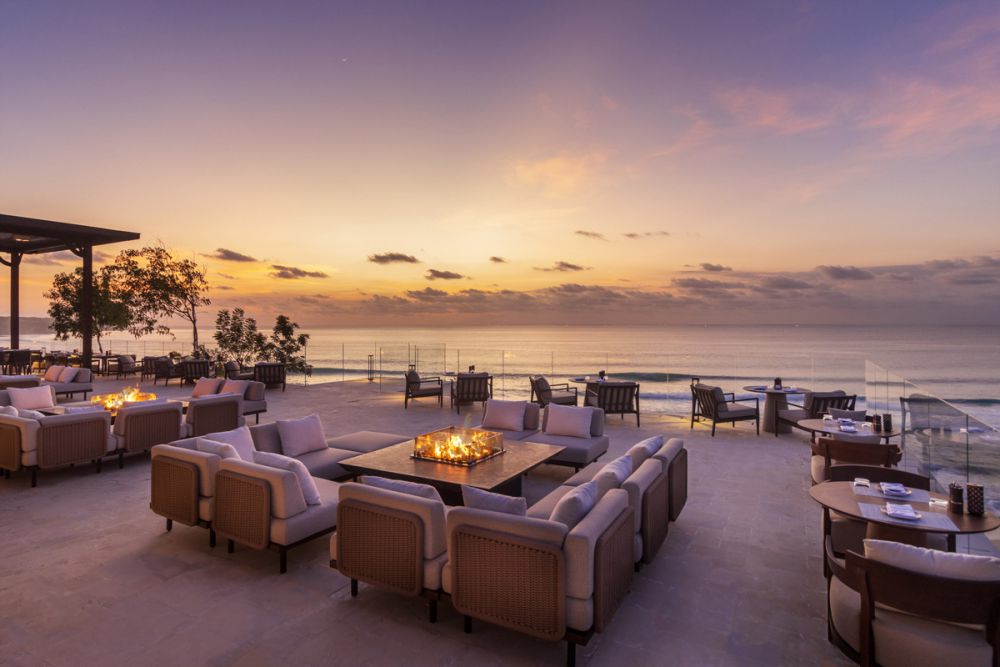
958 364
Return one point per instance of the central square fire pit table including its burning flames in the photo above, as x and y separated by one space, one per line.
499 467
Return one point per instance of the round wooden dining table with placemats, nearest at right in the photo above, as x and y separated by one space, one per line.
868 504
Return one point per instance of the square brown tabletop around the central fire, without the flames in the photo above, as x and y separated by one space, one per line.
500 474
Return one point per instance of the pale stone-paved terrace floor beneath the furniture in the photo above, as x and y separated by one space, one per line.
90 577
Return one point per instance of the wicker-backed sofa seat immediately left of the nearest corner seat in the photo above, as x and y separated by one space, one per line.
390 540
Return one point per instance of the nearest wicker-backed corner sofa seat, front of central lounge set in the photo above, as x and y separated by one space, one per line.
535 576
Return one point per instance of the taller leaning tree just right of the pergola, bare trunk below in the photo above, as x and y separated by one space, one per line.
164 286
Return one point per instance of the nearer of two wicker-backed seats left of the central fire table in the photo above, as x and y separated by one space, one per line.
264 508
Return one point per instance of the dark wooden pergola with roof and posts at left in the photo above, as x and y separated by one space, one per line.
28 236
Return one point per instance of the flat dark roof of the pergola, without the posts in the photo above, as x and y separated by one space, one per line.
30 236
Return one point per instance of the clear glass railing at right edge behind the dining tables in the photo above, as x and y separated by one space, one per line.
939 439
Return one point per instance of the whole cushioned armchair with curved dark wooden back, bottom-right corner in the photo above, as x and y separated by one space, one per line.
901 605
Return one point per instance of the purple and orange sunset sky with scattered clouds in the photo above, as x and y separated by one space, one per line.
368 163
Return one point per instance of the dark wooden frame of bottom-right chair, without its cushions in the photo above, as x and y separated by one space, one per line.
942 599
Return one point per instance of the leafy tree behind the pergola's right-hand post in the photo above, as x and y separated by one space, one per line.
110 311
